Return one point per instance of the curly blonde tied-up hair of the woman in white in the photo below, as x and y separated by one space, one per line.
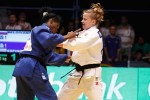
96 11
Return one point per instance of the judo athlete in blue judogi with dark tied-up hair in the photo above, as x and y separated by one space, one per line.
30 70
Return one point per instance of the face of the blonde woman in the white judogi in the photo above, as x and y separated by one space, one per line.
87 21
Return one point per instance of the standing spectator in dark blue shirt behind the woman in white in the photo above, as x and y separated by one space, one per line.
112 45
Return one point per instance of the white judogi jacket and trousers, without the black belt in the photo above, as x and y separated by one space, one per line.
87 49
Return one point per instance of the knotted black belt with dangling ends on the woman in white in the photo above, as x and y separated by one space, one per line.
82 68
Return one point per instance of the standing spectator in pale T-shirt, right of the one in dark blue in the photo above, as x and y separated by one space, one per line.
126 32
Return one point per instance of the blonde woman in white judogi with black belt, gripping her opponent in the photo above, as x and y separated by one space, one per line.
86 57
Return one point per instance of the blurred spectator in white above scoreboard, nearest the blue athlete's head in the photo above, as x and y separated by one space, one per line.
23 23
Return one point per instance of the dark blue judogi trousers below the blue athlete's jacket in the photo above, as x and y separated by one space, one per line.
28 87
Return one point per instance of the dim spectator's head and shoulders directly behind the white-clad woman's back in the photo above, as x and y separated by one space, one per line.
105 28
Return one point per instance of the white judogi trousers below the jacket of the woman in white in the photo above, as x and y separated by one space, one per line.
91 86
